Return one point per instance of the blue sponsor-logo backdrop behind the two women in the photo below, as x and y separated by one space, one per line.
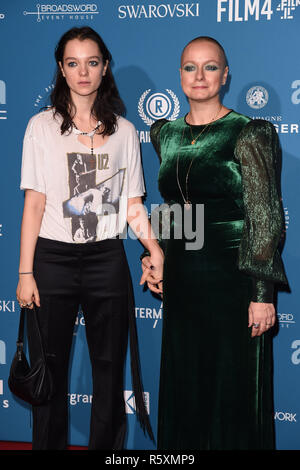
261 38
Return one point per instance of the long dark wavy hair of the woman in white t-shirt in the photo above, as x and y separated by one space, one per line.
107 105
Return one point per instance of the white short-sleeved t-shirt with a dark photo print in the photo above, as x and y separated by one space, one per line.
86 195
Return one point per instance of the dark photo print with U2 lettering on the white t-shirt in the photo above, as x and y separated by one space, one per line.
90 202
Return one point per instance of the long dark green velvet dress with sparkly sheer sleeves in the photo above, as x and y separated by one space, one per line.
216 381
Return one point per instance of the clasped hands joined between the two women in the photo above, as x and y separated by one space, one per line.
152 267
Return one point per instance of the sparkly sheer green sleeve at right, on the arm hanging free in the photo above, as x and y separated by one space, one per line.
257 150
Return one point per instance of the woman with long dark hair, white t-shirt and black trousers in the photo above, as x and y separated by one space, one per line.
75 211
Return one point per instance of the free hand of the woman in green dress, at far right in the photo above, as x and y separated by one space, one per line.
261 317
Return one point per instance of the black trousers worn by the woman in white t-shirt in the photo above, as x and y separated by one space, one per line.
95 276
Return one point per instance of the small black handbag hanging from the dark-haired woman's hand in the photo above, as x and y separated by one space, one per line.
32 384
